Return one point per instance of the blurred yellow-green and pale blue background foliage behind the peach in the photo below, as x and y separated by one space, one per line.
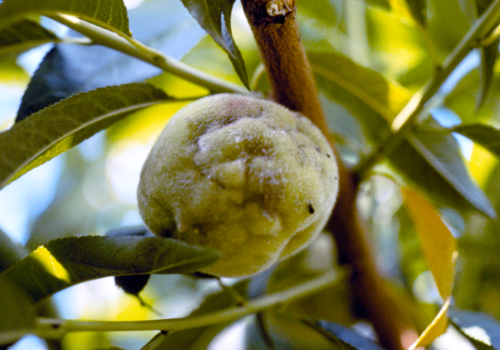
369 57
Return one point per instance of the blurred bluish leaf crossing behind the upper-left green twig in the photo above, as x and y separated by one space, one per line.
71 69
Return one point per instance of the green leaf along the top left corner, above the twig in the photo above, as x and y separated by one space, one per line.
110 14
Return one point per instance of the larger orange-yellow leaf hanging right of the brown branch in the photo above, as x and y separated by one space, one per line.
438 244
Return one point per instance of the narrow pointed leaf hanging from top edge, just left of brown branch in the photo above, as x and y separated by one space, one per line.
215 17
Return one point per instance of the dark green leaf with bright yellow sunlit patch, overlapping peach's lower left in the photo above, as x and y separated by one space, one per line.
68 261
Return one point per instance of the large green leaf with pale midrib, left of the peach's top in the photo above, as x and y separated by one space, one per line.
59 127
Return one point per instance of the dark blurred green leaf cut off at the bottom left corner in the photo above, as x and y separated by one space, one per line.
18 312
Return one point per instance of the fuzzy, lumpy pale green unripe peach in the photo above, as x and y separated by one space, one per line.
246 176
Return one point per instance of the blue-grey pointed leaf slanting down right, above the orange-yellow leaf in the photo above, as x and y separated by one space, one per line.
442 152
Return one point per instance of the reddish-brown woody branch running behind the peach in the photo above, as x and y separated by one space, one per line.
274 26
